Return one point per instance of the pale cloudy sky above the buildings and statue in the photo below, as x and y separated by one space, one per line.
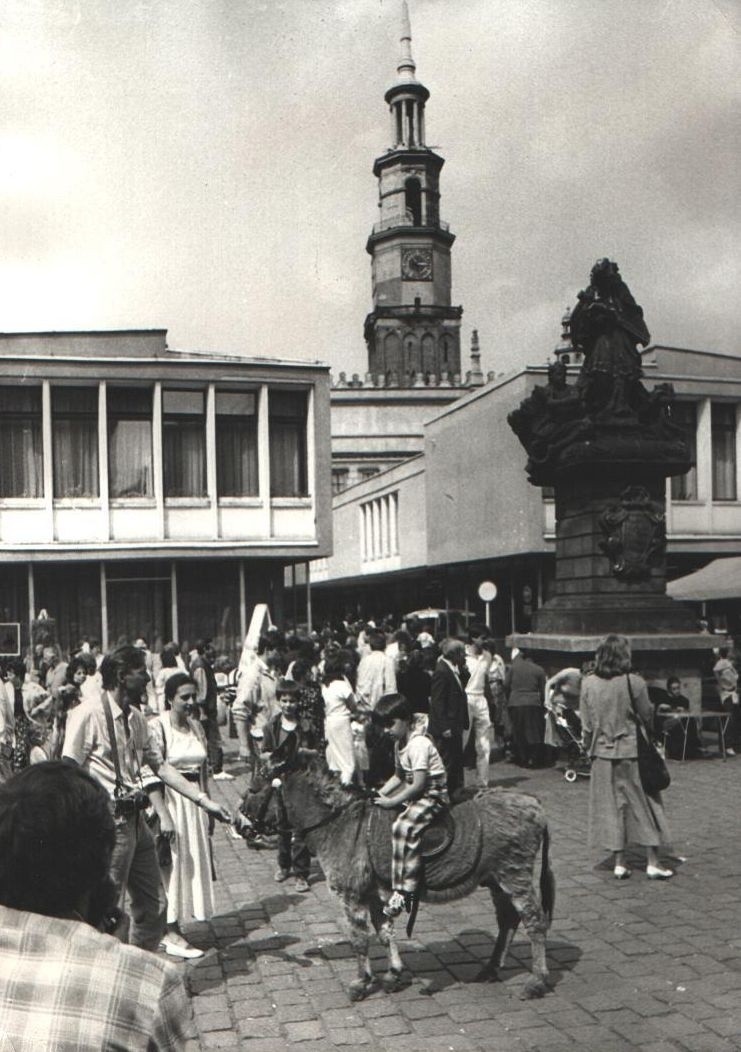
206 167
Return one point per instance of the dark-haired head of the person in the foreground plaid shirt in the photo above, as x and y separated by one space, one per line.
57 836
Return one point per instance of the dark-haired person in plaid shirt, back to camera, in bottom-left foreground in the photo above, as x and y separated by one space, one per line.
64 983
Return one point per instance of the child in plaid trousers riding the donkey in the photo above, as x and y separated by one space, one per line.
420 784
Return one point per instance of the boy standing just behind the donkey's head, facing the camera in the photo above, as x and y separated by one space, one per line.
285 731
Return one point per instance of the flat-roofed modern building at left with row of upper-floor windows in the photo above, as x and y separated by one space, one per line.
148 492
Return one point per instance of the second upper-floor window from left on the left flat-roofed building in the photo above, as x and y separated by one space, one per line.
75 440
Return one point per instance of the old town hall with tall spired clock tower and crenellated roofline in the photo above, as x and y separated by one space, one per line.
413 333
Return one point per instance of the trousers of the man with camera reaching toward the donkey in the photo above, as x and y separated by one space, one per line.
134 869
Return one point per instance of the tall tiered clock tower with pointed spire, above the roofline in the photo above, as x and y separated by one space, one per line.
413 333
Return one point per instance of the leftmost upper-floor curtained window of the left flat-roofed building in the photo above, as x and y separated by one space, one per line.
22 452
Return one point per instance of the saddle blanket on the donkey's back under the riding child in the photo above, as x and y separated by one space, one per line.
445 866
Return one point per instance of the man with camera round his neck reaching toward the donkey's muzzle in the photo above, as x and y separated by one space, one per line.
110 738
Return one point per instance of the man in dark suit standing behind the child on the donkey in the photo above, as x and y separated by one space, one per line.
449 711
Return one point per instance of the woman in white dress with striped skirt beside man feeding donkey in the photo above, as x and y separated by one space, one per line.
188 881
